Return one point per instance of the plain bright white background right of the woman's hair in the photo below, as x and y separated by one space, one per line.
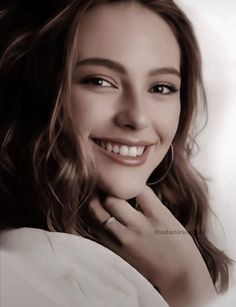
215 25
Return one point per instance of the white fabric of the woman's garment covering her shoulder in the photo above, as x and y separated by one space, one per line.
51 269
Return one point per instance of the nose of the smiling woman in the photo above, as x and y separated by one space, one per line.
132 113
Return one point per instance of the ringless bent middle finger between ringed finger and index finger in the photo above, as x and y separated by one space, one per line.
123 212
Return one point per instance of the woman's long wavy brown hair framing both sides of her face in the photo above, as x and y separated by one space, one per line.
46 178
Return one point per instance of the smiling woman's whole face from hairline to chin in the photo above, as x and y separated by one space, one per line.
125 94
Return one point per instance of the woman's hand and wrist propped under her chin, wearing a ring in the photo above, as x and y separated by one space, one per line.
172 262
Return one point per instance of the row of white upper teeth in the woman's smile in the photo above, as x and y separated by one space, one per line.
123 150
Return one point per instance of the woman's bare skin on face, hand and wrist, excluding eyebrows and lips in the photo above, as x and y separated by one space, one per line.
125 106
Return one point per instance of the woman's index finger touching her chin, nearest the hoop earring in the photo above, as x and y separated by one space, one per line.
150 203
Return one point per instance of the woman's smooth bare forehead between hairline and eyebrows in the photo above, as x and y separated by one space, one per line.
129 33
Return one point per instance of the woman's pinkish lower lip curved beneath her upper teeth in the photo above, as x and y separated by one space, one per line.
125 160
